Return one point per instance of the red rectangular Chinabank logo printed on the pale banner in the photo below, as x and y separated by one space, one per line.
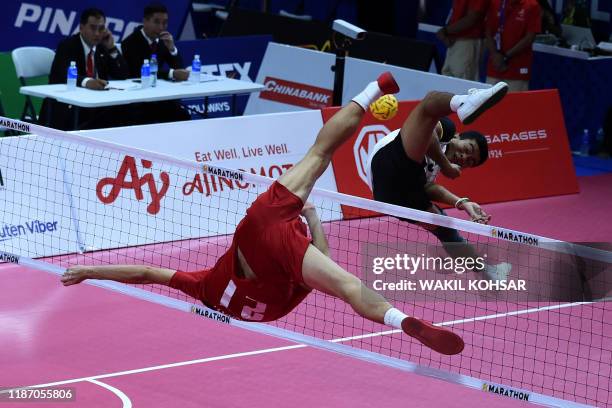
293 93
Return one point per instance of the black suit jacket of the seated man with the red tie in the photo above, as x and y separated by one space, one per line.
71 49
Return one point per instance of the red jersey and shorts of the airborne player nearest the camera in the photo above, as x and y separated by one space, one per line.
273 240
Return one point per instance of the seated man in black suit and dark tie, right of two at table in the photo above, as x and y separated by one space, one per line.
153 38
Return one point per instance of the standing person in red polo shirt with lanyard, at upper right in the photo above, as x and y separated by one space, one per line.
510 31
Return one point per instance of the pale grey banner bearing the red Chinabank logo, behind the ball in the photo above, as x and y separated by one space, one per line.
297 78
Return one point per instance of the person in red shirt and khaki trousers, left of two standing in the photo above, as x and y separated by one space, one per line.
463 37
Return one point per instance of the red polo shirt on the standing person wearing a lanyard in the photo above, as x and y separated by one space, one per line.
521 17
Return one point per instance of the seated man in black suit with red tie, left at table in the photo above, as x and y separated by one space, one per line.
97 60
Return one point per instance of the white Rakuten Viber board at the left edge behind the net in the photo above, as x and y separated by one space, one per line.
36 217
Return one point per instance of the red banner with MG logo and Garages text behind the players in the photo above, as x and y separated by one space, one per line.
529 154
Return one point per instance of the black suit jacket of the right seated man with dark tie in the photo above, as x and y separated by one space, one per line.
136 48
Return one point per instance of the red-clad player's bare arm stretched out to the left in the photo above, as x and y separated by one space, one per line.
120 273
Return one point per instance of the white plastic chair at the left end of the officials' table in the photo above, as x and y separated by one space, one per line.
31 62
